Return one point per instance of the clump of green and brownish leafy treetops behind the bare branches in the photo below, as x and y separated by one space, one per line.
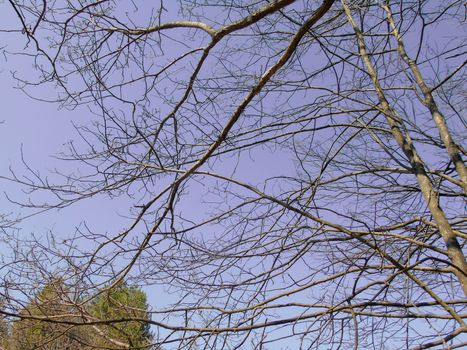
43 323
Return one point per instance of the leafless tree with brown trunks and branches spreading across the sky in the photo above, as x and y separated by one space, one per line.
320 140
